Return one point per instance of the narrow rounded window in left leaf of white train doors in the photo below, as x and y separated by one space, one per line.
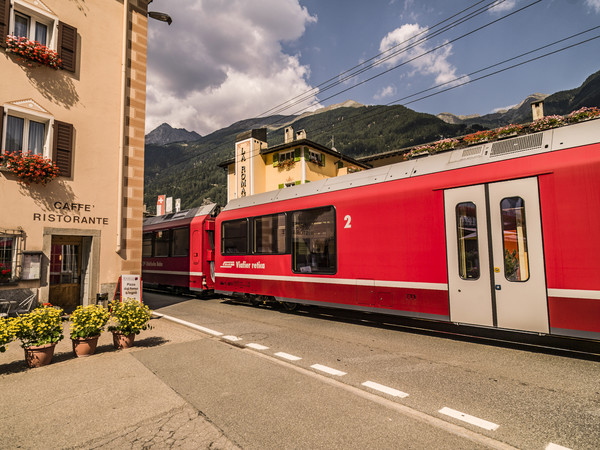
468 246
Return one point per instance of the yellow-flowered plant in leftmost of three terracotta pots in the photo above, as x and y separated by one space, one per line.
39 331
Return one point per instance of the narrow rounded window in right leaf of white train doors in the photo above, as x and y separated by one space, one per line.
514 236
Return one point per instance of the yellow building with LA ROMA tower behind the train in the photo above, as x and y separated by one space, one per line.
258 168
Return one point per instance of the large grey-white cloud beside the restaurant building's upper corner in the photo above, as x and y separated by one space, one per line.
220 62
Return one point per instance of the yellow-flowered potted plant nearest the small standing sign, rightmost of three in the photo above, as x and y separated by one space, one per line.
128 319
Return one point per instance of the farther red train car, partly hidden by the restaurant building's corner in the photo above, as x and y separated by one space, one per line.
178 251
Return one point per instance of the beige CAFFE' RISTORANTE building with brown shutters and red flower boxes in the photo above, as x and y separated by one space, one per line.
68 240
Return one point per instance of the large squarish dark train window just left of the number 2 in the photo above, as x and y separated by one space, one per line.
313 241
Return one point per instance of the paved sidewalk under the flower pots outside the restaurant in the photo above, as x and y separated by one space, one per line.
107 400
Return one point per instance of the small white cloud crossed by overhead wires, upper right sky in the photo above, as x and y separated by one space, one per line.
419 56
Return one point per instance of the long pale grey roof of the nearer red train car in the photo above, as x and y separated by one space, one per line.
561 138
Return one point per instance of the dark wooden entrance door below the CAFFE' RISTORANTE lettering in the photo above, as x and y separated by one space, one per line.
65 271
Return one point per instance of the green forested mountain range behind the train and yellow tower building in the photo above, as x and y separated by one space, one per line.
189 170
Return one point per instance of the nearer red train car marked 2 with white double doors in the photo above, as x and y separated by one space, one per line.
501 235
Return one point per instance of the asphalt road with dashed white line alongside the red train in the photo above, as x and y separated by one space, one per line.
317 378
